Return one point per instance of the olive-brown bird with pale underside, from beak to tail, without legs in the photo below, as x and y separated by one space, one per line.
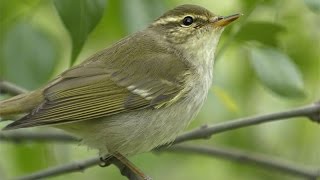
137 94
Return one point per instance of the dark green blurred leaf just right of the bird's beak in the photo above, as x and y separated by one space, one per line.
263 32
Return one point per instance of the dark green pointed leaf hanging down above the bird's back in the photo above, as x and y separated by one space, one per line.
79 17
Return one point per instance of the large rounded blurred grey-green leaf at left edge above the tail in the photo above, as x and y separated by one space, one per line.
28 55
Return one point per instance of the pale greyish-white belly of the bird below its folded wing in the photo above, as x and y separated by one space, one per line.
139 131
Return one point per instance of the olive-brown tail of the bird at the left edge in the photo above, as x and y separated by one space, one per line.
20 104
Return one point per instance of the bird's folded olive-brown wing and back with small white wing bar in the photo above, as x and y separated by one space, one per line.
108 85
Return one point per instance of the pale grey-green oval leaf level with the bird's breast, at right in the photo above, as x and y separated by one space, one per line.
277 72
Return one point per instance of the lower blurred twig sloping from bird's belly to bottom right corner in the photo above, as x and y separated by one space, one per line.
250 158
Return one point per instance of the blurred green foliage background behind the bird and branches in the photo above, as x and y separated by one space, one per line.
267 61
